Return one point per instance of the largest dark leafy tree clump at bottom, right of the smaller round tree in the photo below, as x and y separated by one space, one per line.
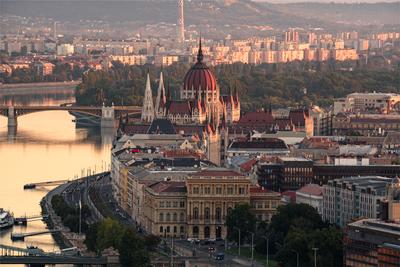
297 228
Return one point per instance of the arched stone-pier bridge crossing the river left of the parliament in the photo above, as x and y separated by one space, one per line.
108 115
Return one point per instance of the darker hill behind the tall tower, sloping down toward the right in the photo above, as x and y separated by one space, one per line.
216 13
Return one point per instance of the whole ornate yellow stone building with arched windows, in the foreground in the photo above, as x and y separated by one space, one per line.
198 206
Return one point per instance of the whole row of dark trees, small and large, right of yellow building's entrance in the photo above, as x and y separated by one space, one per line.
295 228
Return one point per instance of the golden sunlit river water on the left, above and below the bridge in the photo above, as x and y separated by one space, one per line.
46 146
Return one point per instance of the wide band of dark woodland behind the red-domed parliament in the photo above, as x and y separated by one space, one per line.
283 85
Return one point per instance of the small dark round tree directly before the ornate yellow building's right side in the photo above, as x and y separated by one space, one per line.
241 218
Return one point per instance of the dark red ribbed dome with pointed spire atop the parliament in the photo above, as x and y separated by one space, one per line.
200 76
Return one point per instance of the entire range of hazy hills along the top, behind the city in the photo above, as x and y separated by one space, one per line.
228 16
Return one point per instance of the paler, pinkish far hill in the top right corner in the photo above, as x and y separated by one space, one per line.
351 13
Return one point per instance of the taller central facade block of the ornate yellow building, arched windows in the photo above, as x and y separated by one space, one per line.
211 194
